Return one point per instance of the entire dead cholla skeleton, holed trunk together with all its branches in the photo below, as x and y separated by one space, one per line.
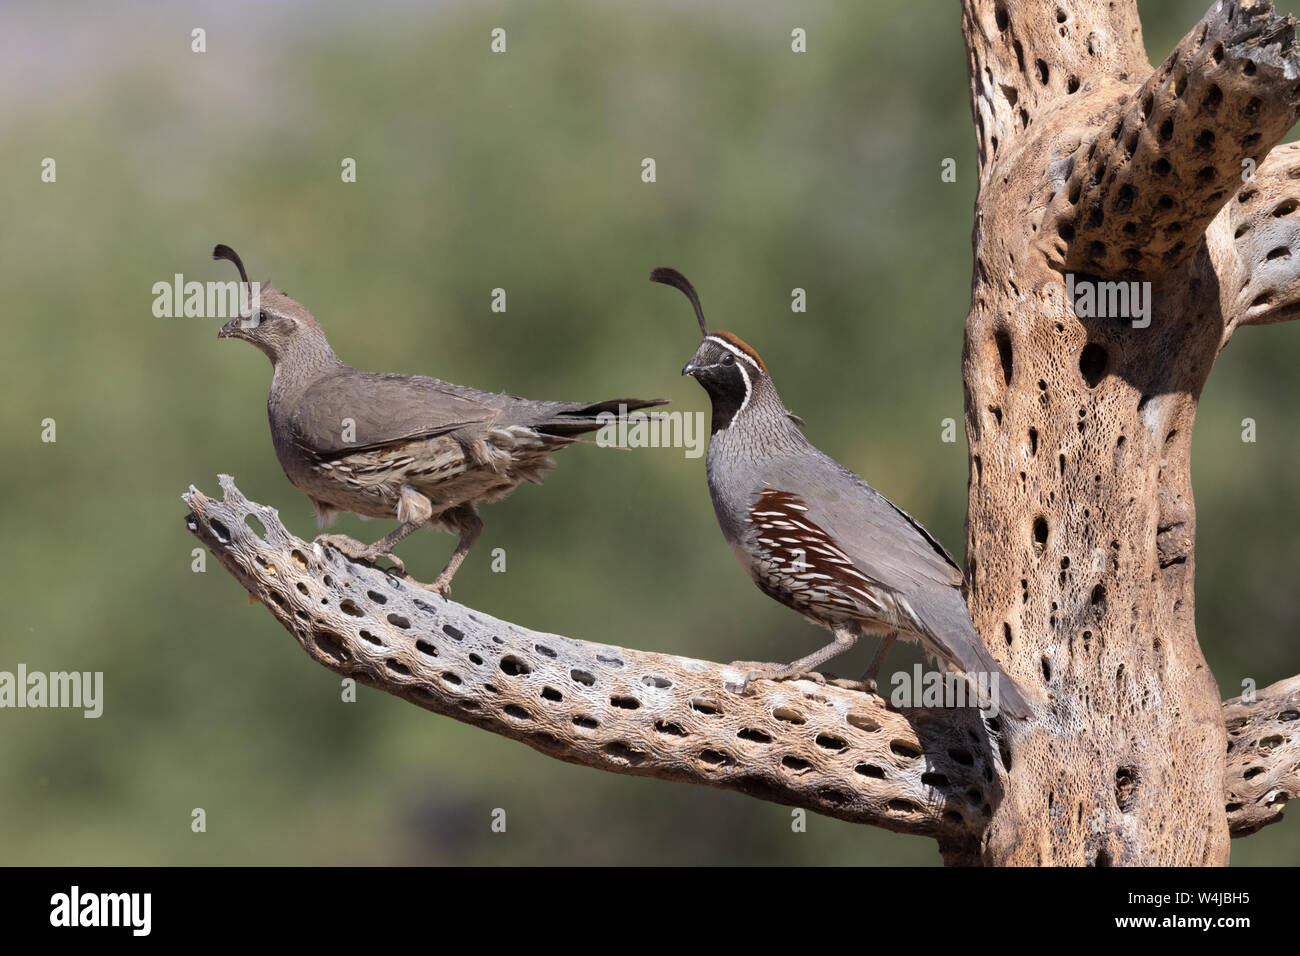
1081 525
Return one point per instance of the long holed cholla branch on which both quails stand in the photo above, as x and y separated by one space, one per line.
826 749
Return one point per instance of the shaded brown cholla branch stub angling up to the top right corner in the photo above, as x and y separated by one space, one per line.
1143 188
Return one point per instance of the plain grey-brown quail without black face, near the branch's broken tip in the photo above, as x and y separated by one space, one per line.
405 447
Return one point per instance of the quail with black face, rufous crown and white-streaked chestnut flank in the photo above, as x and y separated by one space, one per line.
816 537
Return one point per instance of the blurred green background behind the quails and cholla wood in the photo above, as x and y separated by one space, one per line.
478 171
